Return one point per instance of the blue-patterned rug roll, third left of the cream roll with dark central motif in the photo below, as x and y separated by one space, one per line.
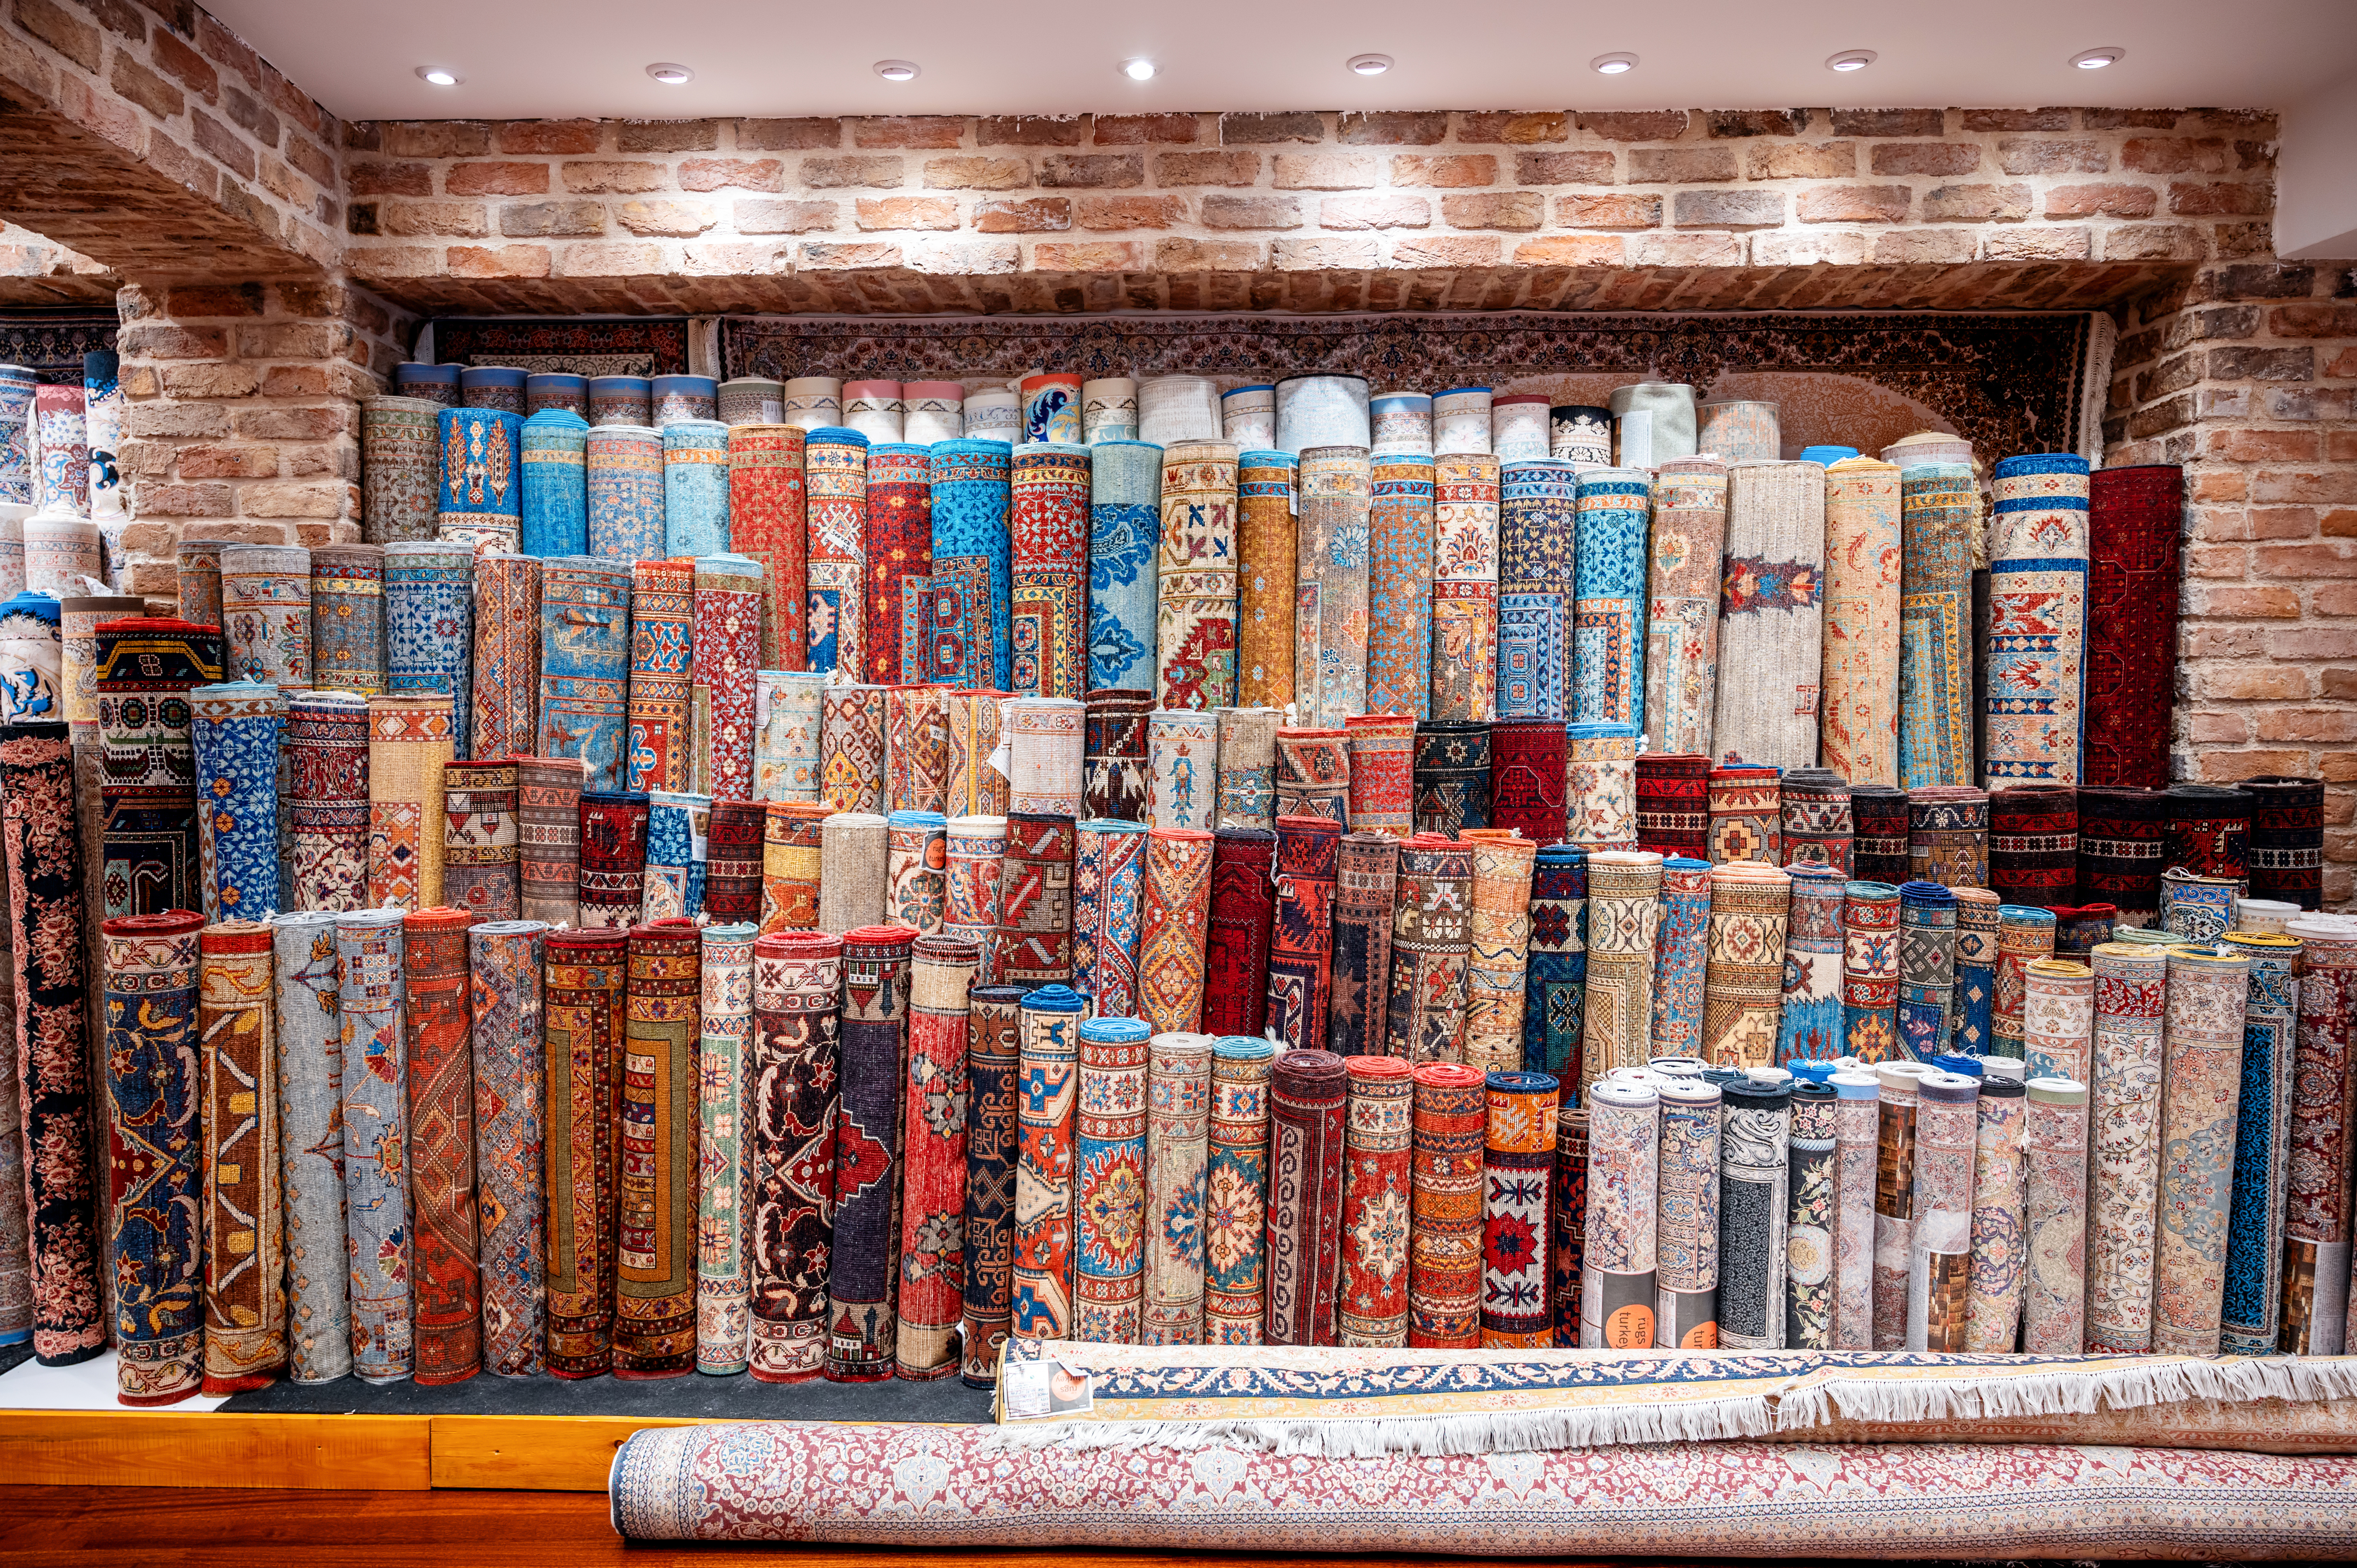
1536 579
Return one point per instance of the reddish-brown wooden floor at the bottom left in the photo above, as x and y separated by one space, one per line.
164 1529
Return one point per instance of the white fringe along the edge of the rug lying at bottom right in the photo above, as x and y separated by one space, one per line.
1967 1397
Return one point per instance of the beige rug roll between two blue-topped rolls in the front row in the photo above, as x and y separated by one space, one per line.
1177 1149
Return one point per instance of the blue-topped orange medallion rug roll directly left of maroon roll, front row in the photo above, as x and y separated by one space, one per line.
1236 1192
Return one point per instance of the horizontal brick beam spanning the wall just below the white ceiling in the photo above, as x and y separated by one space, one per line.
1894 209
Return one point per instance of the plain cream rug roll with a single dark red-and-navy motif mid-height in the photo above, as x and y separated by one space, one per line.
1771 617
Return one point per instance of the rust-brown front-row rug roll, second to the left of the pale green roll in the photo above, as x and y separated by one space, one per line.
583 1003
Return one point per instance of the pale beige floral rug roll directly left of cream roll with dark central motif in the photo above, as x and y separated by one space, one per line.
1682 621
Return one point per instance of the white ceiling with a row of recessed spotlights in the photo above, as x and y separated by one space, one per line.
770 58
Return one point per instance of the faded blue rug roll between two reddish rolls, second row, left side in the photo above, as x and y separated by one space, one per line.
586 666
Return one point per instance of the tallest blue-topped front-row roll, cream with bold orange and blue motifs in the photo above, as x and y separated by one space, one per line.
1048 1086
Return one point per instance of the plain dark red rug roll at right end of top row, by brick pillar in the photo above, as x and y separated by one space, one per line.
2132 624
